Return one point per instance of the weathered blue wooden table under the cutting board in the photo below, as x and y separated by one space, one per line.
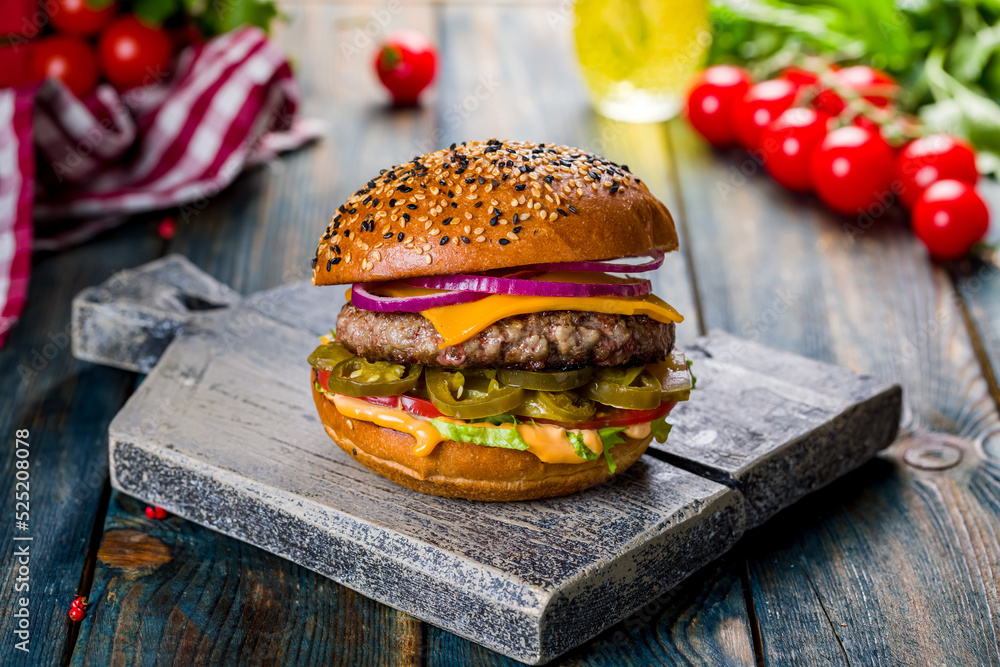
898 563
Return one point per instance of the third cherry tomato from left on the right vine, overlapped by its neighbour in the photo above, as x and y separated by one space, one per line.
788 144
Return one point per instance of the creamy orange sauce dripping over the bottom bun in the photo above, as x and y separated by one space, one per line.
549 443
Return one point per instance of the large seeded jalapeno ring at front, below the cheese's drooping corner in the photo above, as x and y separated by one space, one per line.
470 394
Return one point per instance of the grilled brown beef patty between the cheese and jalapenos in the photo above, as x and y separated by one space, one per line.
559 339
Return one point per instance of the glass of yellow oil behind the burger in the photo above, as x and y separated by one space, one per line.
637 56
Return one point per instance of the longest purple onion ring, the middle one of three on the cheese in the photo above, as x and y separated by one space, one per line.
520 287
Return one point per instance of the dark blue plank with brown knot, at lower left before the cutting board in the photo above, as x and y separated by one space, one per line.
172 592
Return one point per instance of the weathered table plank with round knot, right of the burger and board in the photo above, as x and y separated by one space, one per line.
895 558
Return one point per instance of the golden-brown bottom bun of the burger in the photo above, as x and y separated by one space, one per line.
465 470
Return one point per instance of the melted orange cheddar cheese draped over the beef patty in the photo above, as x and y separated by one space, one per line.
461 322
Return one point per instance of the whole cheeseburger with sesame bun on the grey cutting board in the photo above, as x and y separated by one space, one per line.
499 341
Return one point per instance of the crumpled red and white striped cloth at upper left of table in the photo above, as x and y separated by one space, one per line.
228 104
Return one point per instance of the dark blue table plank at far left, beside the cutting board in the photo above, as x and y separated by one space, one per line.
66 406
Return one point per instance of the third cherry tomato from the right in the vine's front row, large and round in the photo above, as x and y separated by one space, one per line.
851 169
